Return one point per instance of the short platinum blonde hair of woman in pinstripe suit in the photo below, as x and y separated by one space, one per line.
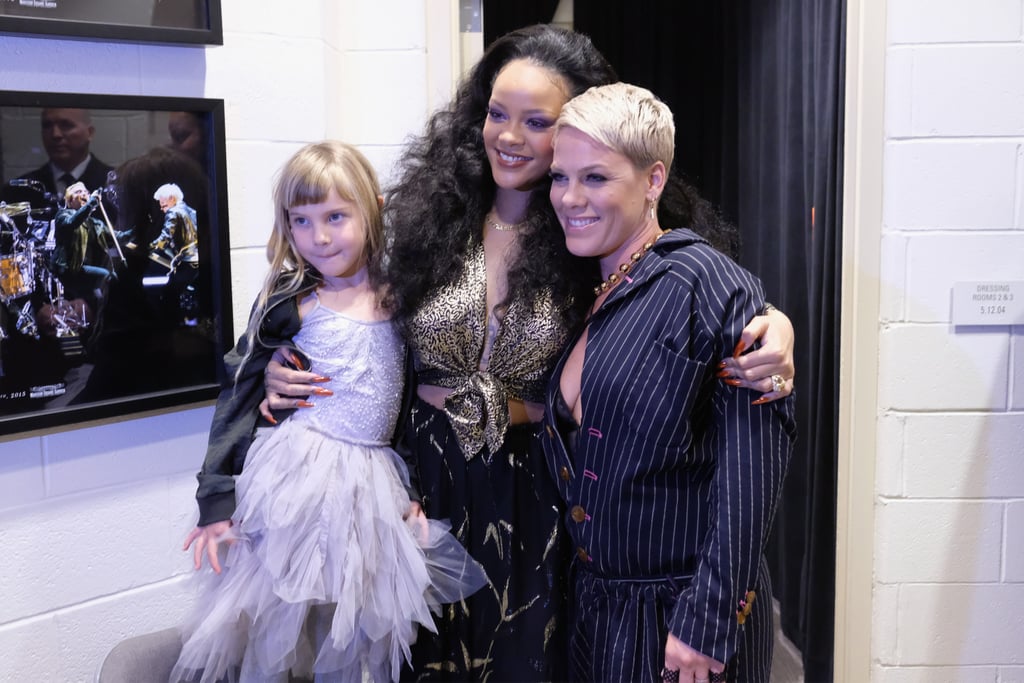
624 118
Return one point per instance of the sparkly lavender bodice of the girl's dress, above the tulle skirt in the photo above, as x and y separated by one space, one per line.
365 362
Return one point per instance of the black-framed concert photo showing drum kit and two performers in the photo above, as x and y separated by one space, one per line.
115 284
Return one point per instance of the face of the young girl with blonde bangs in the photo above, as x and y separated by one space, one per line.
330 236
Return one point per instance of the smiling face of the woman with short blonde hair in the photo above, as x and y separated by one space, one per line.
603 199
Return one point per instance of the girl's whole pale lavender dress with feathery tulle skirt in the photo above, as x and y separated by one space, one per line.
326 577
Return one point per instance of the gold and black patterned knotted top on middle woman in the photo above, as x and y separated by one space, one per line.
449 334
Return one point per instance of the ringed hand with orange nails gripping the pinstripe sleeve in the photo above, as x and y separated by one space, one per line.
769 369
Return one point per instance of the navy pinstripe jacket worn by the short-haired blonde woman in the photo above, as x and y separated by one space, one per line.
675 473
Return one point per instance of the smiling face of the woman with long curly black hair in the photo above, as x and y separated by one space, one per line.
525 105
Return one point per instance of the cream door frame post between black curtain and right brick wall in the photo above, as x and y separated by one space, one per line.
863 195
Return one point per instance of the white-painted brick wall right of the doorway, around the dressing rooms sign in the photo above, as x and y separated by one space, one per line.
950 514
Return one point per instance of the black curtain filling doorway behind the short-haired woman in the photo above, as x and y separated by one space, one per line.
757 91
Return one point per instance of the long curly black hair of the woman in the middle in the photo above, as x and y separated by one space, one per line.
435 210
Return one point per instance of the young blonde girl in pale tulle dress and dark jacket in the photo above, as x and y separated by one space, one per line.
332 567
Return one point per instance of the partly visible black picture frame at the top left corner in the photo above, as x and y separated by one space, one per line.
180 22
